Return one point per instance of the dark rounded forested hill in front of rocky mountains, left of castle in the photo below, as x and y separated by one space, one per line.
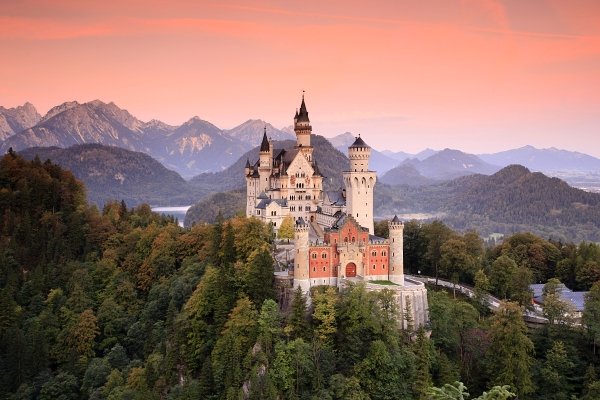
113 173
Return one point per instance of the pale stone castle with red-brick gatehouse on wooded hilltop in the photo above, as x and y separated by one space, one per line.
334 234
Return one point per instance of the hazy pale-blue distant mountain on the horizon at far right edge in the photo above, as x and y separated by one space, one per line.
545 160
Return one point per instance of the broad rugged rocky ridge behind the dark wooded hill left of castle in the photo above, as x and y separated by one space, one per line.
194 147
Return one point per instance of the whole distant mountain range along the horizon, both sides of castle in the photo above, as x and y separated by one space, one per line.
198 146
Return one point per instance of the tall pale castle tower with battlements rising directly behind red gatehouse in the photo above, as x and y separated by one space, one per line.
359 183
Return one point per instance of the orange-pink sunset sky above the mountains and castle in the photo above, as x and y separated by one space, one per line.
475 75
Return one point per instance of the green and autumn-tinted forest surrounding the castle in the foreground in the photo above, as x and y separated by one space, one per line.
121 303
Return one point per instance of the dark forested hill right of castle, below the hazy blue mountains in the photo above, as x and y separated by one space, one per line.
513 199
